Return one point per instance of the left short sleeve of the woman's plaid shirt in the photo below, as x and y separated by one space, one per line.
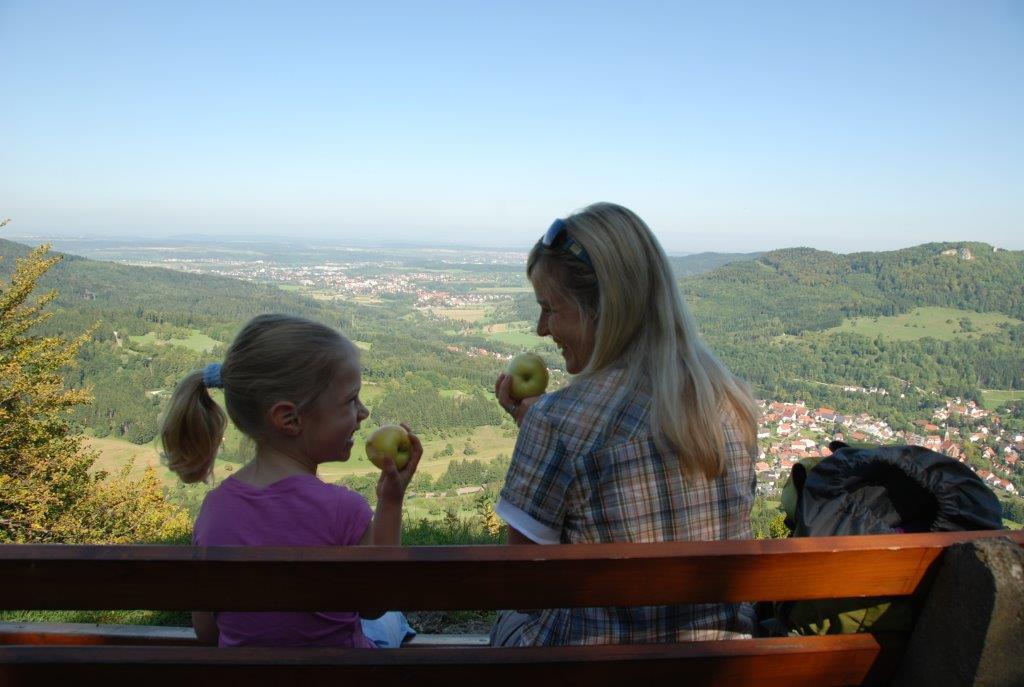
534 499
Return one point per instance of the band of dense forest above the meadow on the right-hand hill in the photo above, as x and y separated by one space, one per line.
799 290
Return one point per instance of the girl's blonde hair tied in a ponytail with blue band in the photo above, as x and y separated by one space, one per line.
275 358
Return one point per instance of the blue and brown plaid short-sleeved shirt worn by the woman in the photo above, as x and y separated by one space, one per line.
586 469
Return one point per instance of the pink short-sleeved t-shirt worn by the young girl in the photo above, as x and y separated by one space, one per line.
297 511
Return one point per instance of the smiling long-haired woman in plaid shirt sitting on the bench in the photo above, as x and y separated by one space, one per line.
653 441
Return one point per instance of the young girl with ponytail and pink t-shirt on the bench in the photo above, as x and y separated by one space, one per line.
292 387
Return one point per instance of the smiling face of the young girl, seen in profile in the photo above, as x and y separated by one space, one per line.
334 417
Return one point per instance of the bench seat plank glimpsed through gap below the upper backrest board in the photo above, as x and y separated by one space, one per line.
87 634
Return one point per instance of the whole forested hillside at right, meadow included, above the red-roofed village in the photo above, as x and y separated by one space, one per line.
774 321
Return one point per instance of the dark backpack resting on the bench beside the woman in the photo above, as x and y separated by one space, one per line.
877 491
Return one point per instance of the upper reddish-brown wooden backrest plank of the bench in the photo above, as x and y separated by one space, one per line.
40 577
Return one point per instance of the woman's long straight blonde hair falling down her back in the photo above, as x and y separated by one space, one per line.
642 324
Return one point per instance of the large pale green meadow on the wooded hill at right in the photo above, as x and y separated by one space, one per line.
942 324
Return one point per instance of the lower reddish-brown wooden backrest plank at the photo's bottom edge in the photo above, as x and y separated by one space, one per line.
824 661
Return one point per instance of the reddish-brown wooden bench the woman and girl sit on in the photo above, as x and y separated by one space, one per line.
449 579
